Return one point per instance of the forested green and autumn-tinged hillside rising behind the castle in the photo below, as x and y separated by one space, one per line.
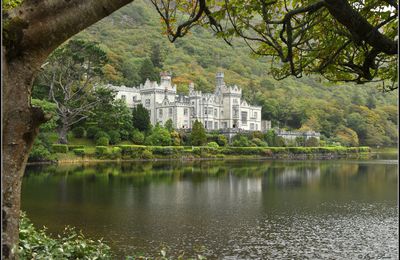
138 49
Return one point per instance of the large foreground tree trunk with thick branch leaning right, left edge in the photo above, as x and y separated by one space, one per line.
31 32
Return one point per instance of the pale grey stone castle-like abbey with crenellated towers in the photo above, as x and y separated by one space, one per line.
223 109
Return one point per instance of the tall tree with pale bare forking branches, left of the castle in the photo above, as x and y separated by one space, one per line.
69 74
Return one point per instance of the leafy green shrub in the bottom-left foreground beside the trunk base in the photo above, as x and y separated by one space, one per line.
36 244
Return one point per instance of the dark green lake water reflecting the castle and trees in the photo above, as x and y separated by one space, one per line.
225 210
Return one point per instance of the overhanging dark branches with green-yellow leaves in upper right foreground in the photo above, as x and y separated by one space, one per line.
360 45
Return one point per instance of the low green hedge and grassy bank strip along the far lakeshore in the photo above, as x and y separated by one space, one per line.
75 153
